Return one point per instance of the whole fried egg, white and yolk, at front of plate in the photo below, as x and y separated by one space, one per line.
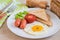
36 28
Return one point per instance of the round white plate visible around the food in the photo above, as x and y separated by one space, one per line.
19 32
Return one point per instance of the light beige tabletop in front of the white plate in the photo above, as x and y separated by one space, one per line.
6 34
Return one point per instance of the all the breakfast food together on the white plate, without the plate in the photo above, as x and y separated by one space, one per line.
33 22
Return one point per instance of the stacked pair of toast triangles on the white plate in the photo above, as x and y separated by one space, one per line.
42 16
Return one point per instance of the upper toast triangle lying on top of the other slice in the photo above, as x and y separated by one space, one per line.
40 14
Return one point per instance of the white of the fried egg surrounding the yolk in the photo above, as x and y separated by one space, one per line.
28 28
